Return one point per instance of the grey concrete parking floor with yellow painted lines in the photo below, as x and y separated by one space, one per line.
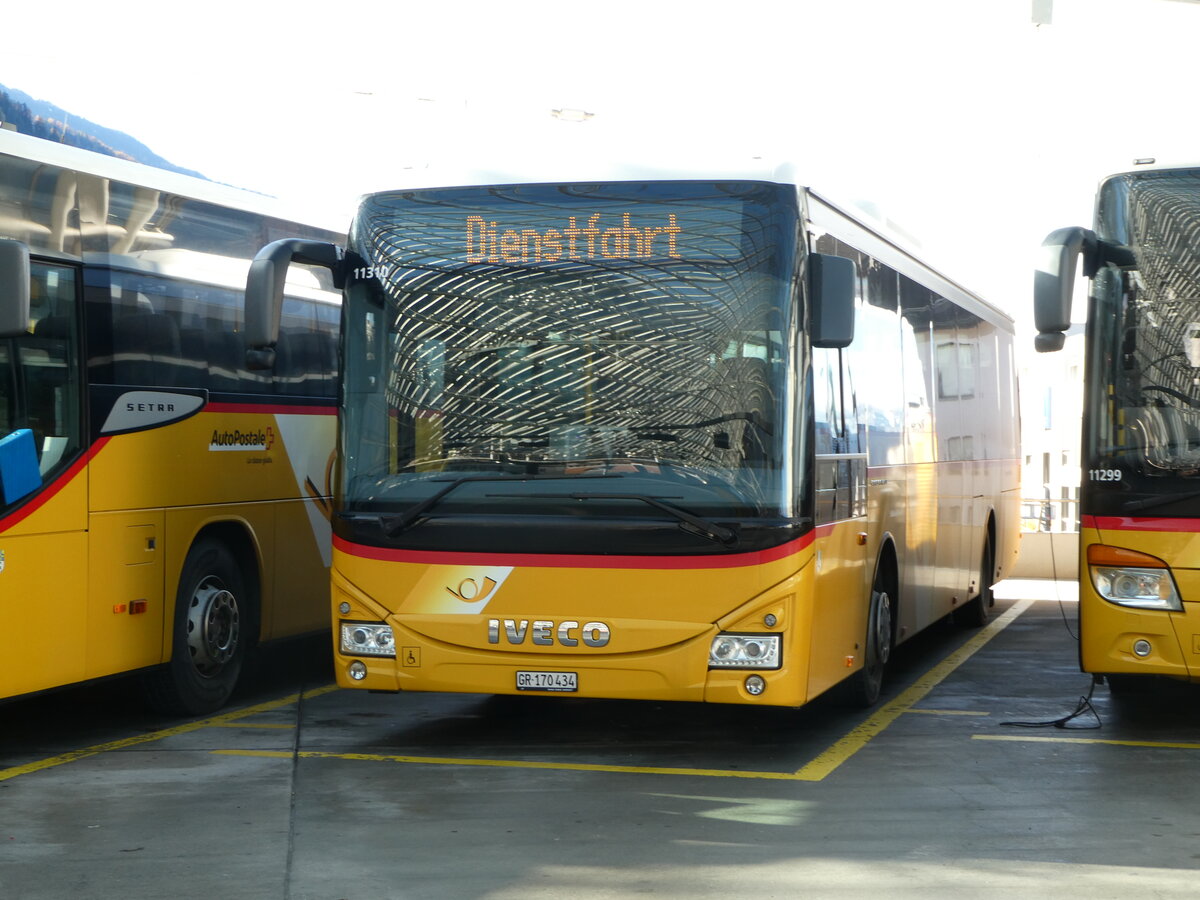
307 793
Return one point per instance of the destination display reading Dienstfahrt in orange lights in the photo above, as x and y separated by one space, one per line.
603 226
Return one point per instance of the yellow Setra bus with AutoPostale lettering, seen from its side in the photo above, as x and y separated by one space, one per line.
163 506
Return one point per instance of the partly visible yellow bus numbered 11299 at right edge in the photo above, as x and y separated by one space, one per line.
1139 593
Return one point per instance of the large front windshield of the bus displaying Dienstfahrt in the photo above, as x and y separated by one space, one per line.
592 352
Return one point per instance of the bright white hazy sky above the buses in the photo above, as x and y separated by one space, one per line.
967 123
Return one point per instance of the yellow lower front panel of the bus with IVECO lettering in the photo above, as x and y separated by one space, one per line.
441 619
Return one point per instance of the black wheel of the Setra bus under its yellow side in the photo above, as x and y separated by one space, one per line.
209 635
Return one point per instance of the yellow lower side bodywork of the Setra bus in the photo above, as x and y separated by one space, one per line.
89 566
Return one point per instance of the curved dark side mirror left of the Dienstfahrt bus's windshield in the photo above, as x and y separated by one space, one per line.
265 292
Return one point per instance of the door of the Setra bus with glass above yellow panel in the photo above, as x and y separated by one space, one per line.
44 502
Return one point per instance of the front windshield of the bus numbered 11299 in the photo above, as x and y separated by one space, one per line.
1145 323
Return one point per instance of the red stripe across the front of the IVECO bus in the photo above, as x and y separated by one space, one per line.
548 561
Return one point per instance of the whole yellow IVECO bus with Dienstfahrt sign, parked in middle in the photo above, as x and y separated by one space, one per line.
629 436
